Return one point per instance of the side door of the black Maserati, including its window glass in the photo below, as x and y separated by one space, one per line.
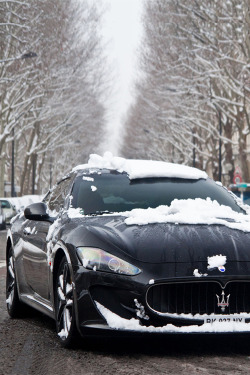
35 250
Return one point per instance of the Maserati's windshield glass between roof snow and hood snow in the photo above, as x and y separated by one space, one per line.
115 192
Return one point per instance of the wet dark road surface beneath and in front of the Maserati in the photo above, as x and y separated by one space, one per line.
29 346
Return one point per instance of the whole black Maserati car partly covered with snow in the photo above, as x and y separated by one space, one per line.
132 246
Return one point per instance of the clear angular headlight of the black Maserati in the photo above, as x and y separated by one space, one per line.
99 260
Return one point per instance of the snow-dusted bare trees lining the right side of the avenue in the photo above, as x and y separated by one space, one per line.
193 96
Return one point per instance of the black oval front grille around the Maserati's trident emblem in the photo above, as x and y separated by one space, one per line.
199 298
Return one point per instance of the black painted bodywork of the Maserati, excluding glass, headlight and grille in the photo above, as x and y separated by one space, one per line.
164 252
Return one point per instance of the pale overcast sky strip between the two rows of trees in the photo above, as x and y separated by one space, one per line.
122 29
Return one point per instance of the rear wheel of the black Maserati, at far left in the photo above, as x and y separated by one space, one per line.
15 307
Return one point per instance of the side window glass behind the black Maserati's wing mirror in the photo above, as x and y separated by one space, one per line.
56 198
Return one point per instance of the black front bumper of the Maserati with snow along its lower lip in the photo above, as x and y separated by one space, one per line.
111 304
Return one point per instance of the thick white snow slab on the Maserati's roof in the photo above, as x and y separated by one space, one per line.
142 168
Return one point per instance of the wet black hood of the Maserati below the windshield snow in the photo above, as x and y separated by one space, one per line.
160 243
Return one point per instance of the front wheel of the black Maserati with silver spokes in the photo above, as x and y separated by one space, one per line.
64 306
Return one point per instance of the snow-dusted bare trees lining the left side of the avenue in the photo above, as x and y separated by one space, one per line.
51 89
